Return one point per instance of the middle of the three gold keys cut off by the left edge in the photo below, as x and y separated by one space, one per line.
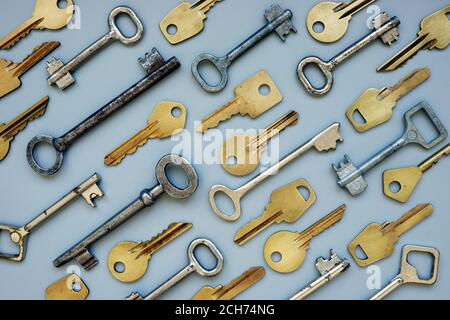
11 72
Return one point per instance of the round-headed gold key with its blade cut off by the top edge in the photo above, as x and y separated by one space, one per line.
334 18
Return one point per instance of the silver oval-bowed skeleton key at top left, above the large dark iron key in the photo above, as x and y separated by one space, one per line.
60 74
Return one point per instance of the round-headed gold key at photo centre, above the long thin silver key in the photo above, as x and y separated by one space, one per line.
241 154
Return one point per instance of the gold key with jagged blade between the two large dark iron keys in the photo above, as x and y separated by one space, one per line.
167 119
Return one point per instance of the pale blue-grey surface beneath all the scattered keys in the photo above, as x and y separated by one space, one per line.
24 193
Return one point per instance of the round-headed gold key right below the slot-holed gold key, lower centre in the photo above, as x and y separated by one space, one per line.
292 246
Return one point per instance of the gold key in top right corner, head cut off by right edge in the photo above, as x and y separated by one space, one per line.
434 34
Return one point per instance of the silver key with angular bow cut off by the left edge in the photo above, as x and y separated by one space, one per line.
88 189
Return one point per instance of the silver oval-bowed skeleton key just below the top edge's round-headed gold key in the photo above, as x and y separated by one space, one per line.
385 29
